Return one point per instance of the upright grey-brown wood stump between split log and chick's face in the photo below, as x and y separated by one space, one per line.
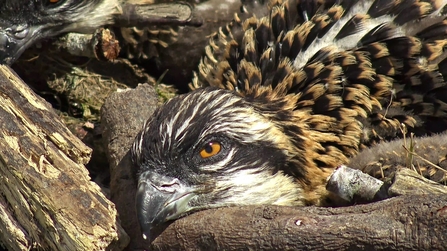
122 117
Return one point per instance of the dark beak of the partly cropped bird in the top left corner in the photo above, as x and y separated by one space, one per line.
14 40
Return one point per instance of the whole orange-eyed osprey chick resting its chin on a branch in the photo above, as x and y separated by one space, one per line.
287 98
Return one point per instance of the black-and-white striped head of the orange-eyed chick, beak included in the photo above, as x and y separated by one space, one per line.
214 148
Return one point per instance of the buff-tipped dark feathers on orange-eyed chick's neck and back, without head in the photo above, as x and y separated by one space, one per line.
341 99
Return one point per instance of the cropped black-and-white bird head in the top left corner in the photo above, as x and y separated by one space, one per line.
24 22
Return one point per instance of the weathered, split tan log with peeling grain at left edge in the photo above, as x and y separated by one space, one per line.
47 199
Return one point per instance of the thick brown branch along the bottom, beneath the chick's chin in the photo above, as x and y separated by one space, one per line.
401 223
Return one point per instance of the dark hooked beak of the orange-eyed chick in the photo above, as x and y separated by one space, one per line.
160 199
